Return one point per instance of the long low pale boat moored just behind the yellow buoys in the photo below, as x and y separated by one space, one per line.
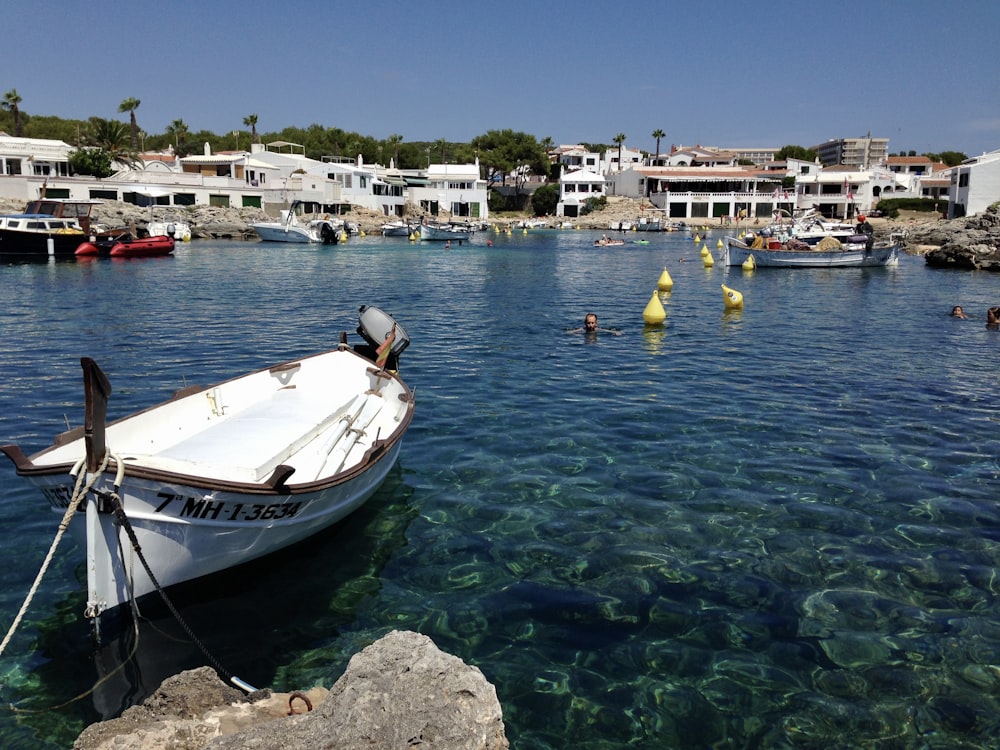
854 252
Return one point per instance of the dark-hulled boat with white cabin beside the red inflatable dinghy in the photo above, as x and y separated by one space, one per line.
48 227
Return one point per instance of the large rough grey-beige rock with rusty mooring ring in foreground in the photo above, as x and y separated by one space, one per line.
399 692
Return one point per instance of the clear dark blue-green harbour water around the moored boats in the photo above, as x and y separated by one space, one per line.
769 528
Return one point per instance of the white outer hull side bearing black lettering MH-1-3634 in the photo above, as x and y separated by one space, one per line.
187 532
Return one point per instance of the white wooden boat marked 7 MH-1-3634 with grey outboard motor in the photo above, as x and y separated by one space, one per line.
215 477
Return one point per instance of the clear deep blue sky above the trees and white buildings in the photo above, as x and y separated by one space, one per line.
926 75
